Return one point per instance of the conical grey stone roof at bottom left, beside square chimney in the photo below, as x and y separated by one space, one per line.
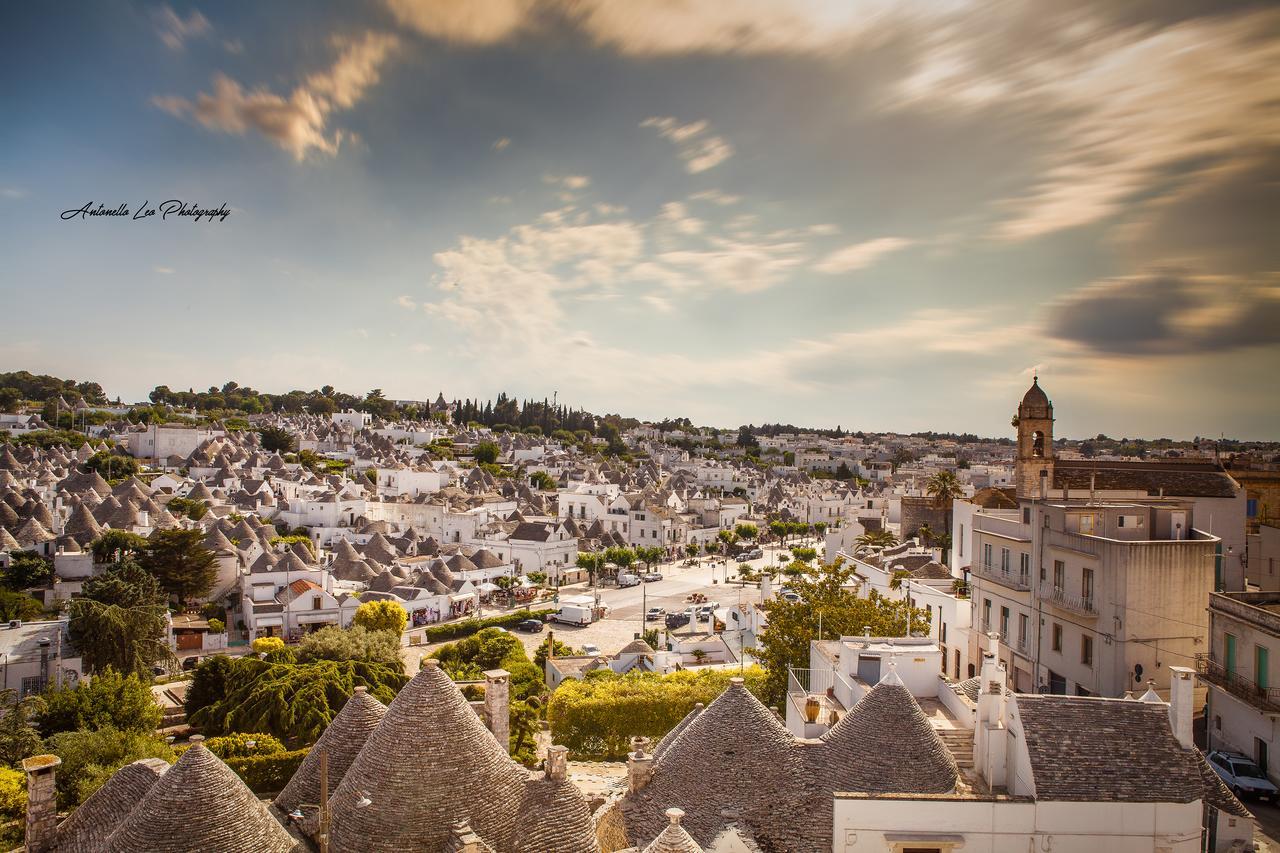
200 805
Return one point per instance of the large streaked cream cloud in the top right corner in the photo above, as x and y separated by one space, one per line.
1122 115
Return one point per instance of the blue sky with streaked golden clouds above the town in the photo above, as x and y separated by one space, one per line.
883 215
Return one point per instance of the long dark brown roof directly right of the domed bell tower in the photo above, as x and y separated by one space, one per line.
1172 478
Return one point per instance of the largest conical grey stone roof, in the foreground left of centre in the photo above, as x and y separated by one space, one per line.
431 763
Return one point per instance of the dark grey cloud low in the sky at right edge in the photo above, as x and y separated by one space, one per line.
1169 313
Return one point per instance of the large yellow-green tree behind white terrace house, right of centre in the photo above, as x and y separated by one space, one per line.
828 595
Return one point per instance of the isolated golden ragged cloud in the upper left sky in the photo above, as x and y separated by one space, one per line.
298 124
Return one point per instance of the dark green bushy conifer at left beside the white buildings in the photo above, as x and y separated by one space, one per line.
120 622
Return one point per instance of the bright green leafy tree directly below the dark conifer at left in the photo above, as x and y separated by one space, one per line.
111 700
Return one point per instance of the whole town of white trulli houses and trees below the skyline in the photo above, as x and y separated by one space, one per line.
344 623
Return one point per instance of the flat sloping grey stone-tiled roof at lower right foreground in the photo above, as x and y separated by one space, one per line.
1094 750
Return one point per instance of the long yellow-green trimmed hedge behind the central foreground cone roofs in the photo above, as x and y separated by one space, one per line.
597 718
